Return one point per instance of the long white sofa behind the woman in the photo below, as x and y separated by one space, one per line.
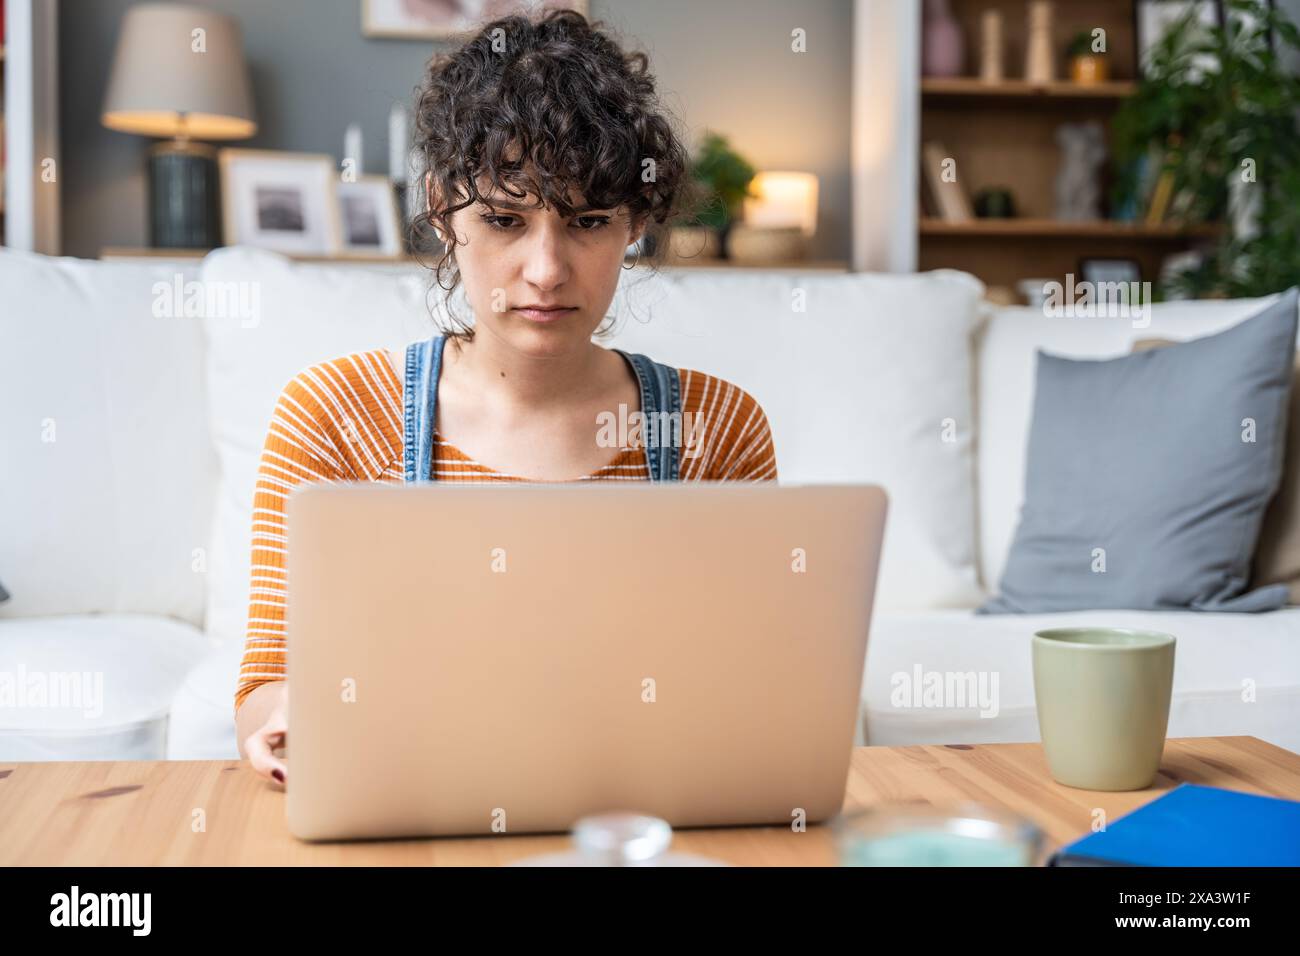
131 434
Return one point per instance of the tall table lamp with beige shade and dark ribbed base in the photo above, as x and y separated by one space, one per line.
180 72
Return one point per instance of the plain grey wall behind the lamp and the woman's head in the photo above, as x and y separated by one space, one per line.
723 64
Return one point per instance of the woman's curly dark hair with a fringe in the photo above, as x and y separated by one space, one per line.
556 96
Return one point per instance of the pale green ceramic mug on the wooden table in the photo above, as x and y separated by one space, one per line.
1103 699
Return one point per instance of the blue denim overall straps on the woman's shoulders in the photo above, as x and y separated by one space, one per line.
661 403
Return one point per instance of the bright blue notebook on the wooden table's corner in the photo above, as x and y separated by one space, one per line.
1195 827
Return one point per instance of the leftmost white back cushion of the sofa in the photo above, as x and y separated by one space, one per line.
107 477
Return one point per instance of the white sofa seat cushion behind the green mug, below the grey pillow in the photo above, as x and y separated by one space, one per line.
1233 674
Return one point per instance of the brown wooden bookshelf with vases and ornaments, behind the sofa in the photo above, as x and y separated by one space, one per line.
1004 135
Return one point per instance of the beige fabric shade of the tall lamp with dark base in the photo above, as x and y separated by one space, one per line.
180 72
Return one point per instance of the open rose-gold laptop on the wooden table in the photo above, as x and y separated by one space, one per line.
509 659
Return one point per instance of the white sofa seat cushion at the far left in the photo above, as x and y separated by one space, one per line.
92 687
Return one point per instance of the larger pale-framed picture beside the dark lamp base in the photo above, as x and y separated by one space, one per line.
280 201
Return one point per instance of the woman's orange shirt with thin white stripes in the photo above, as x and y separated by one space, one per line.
341 421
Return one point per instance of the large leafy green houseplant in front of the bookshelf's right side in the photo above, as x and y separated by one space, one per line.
1223 115
